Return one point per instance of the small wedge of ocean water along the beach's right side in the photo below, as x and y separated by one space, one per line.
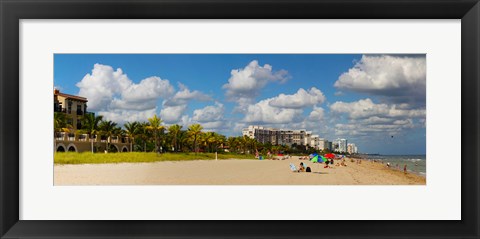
415 163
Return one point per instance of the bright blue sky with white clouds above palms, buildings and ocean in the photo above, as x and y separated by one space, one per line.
374 101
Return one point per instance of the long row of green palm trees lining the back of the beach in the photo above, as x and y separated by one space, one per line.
154 136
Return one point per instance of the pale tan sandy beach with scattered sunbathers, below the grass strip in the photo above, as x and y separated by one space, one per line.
231 172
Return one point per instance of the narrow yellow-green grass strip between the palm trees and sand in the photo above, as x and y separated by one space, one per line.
138 157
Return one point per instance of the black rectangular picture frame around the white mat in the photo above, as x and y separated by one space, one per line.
12 11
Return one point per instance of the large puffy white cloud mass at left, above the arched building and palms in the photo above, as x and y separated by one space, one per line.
112 94
